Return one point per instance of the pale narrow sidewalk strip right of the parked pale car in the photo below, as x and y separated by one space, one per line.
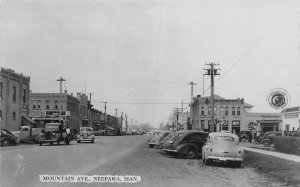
268 151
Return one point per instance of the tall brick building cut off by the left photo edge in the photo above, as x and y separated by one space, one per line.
14 99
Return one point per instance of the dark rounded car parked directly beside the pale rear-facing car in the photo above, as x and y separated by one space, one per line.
187 144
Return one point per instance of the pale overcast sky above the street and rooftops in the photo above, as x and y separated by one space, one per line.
132 52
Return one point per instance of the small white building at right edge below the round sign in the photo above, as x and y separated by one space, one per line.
291 119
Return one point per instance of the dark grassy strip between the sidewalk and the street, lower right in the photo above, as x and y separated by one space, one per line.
282 170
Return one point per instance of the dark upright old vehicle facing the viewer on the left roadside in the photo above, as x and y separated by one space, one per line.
54 133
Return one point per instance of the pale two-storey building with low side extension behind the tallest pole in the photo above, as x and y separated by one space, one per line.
233 115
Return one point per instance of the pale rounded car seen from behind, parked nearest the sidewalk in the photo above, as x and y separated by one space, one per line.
223 147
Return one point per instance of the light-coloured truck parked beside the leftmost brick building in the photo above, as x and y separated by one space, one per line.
27 133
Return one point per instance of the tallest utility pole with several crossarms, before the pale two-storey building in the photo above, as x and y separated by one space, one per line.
212 72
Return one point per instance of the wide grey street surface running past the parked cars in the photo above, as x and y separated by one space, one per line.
125 155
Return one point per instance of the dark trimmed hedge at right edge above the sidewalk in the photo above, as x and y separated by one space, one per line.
287 144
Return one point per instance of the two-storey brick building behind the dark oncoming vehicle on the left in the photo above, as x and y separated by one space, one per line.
55 107
